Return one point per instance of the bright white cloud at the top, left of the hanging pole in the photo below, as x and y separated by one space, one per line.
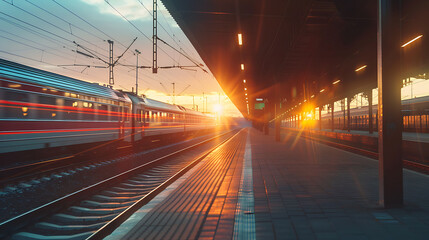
132 10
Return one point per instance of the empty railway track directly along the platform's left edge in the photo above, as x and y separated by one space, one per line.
96 210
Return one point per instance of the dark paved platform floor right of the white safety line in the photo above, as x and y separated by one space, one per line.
307 190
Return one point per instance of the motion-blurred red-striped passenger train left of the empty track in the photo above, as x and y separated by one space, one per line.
40 109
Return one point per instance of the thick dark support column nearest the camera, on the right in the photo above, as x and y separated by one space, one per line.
389 103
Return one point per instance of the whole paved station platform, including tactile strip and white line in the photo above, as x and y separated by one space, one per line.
255 188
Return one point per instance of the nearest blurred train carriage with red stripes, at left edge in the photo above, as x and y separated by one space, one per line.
39 109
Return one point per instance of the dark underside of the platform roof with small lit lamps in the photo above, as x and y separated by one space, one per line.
292 49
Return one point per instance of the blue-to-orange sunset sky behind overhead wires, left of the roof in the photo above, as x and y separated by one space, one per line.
41 34
